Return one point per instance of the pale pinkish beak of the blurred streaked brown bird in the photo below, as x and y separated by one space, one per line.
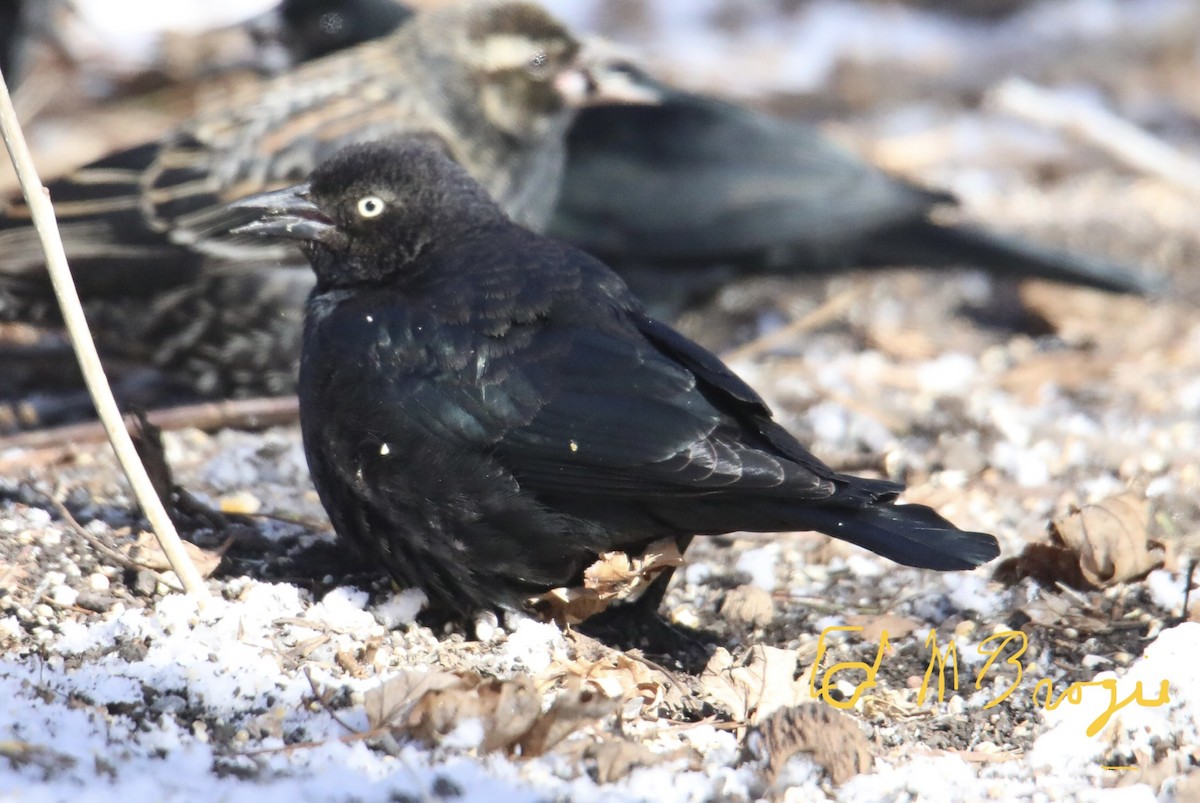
603 75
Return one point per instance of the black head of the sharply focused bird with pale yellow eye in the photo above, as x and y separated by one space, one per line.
369 213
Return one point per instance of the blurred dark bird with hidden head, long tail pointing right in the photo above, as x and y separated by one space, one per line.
686 195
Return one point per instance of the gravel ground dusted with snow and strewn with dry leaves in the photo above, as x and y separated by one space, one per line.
310 679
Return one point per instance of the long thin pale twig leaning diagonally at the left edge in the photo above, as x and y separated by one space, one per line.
38 197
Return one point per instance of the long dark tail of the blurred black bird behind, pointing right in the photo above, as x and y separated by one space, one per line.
933 244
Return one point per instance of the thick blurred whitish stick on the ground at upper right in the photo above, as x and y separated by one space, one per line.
1118 137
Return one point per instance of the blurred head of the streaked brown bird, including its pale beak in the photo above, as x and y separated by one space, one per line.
519 67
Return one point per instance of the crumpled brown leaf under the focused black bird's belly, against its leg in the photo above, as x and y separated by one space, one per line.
615 577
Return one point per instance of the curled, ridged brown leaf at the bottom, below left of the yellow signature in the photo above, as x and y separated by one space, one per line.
833 740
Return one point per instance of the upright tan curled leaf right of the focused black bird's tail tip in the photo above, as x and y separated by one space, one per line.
1112 540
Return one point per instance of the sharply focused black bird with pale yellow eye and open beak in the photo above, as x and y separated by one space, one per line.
487 410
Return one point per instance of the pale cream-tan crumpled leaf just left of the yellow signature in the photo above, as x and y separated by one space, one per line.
761 685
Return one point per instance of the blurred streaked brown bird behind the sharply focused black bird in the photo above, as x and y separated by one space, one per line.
495 83
